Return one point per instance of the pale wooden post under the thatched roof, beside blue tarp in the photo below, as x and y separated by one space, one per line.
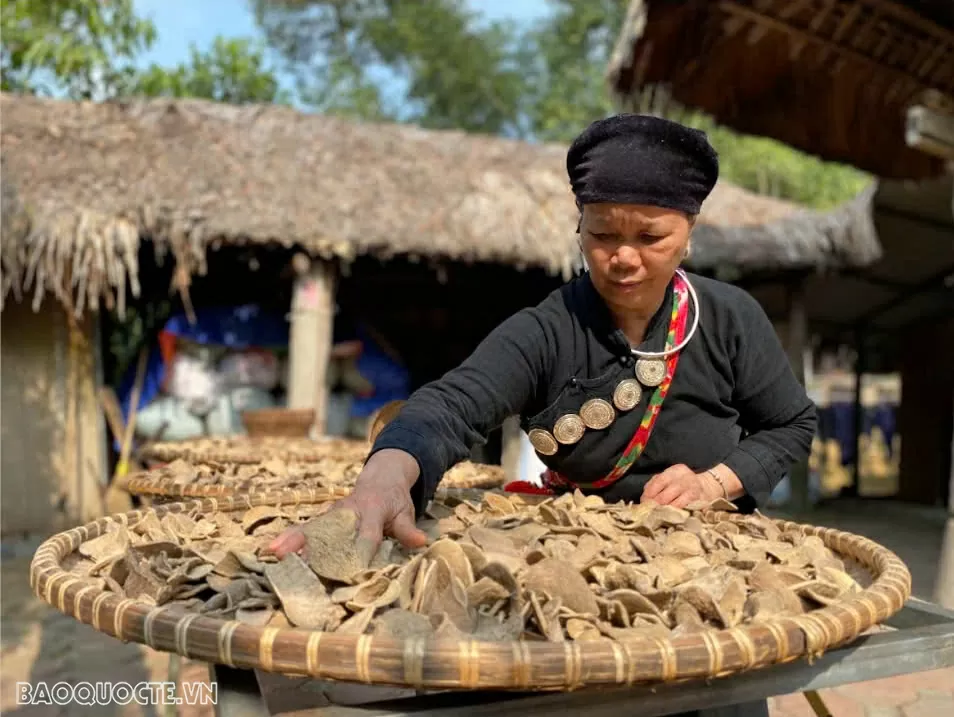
312 321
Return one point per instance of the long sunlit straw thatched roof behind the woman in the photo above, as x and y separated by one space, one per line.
96 179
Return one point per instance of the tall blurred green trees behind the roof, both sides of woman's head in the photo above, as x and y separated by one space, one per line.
543 82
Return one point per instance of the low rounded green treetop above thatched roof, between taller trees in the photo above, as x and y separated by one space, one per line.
232 71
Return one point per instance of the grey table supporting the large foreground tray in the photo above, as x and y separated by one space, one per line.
919 638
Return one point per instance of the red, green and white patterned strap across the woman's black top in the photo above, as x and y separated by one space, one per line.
554 482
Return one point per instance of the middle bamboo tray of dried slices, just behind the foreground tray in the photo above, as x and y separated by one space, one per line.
182 480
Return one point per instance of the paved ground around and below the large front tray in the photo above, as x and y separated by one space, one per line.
41 645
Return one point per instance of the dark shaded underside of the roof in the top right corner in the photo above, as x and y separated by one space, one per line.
834 82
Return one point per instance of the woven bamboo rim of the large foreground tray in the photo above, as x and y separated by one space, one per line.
451 664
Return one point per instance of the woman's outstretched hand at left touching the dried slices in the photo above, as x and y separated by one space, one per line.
382 500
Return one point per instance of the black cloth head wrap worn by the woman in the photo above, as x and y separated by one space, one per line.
640 159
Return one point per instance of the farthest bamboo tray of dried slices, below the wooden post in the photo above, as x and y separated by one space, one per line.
254 450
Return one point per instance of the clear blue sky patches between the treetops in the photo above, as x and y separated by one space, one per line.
181 23
